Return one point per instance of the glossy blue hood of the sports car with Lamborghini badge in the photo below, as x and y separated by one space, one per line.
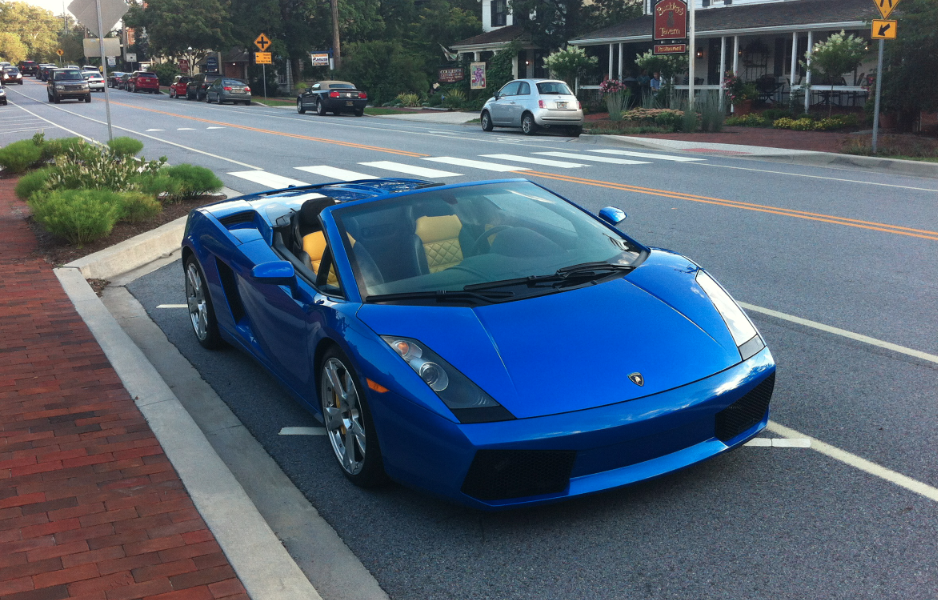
572 350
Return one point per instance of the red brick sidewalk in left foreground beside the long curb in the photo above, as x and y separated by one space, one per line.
90 506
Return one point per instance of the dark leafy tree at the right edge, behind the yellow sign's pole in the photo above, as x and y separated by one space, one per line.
910 64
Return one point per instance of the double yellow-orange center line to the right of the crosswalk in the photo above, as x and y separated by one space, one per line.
798 214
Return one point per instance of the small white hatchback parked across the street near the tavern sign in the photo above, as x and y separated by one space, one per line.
532 104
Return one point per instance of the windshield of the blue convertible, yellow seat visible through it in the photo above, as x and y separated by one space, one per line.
445 240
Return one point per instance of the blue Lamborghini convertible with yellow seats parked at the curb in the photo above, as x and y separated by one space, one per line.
491 343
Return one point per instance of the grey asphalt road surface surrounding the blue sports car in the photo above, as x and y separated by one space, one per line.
844 247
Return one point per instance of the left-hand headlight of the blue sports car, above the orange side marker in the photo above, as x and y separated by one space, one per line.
468 401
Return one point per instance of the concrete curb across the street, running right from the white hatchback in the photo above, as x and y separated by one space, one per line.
802 157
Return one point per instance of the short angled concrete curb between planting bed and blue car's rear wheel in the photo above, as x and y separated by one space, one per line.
137 251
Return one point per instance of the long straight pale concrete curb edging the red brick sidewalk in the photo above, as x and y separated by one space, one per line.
265 568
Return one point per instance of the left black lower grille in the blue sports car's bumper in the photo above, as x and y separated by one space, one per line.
504 474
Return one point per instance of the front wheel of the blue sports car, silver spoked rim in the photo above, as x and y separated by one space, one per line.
348 421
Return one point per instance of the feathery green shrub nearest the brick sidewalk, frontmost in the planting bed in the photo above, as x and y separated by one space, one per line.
79 216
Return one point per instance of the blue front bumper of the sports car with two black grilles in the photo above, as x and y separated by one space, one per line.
539 460
